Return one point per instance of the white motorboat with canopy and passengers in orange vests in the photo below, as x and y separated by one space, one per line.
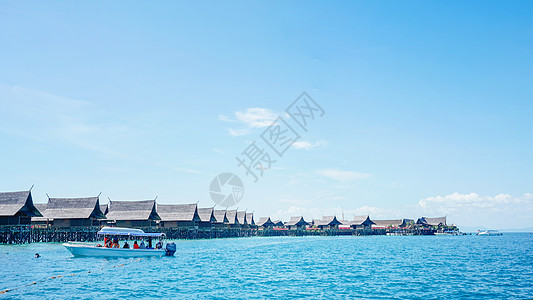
84 249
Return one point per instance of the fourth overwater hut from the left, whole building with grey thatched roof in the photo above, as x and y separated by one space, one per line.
178 215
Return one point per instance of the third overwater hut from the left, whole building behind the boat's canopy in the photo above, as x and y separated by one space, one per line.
132 213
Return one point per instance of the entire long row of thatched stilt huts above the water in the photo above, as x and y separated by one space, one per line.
18 208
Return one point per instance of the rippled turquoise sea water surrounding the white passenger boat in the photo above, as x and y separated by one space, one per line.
373 267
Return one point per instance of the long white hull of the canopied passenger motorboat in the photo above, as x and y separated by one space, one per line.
85 250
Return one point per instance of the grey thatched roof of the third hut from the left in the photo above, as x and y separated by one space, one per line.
132 210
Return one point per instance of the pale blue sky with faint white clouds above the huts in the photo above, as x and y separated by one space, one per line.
428 104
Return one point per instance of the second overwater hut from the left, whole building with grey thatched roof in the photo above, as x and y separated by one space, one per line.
72 212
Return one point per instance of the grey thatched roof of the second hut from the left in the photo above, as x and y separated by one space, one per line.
73 208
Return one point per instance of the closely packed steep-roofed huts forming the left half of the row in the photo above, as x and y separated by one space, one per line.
17 208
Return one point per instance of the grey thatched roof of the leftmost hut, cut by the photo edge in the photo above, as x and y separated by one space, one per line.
12 203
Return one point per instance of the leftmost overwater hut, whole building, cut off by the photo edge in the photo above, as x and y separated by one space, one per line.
16 208
